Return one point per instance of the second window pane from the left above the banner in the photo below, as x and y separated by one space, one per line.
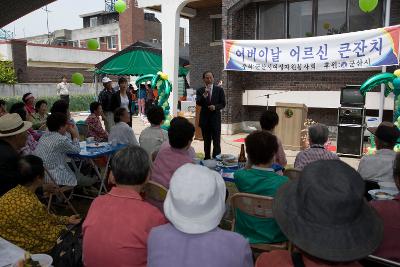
300 23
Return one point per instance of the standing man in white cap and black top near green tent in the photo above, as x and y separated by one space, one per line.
106 101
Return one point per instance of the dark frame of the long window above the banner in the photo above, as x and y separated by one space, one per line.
314 20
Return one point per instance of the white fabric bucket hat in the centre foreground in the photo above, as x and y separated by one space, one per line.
195 201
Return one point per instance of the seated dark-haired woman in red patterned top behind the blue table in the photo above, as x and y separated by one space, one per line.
95 129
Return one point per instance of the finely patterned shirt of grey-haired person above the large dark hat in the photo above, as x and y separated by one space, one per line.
314 153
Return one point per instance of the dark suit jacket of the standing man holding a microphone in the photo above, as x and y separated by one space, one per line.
208 117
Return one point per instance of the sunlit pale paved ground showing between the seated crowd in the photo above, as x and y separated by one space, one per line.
227 144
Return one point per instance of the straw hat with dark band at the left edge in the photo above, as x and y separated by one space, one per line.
12 124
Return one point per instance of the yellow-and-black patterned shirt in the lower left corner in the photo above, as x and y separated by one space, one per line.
25 222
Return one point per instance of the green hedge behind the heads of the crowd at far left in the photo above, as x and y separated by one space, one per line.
76 102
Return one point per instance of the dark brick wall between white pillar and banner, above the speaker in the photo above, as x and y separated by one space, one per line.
203 56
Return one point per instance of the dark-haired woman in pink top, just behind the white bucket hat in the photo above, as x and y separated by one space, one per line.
175 153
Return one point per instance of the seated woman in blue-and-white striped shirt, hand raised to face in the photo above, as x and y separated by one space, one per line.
53 148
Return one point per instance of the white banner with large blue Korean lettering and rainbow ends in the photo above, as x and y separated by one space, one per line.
356 50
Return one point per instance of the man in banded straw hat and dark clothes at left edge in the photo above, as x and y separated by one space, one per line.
13 135
